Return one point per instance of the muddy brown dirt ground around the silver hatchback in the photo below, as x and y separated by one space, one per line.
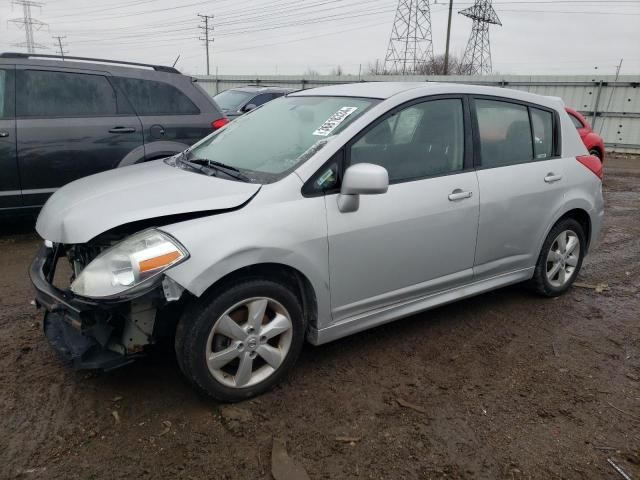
504 385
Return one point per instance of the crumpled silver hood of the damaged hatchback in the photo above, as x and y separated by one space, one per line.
92 205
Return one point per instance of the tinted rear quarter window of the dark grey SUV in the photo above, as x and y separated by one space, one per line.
149 97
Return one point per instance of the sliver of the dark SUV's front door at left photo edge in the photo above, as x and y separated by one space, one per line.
10 196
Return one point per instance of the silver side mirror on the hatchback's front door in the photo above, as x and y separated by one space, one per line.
361 179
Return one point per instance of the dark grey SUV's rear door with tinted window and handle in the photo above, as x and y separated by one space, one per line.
70 124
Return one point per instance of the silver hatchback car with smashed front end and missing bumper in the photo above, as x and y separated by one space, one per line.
317 215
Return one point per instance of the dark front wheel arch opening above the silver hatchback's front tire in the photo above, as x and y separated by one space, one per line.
300 285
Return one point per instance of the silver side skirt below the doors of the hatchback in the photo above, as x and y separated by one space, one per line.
400 310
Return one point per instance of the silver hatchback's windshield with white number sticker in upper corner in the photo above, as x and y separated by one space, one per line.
275 138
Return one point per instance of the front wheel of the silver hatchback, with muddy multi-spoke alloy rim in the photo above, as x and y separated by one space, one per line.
237 343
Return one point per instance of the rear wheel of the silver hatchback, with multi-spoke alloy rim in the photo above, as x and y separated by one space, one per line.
560 258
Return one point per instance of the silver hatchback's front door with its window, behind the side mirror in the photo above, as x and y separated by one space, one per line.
419 237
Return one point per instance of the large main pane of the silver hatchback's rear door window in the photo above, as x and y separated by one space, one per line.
505 133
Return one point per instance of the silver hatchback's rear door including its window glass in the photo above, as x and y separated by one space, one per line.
520 174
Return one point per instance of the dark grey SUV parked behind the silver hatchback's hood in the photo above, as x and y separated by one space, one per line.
62 120
